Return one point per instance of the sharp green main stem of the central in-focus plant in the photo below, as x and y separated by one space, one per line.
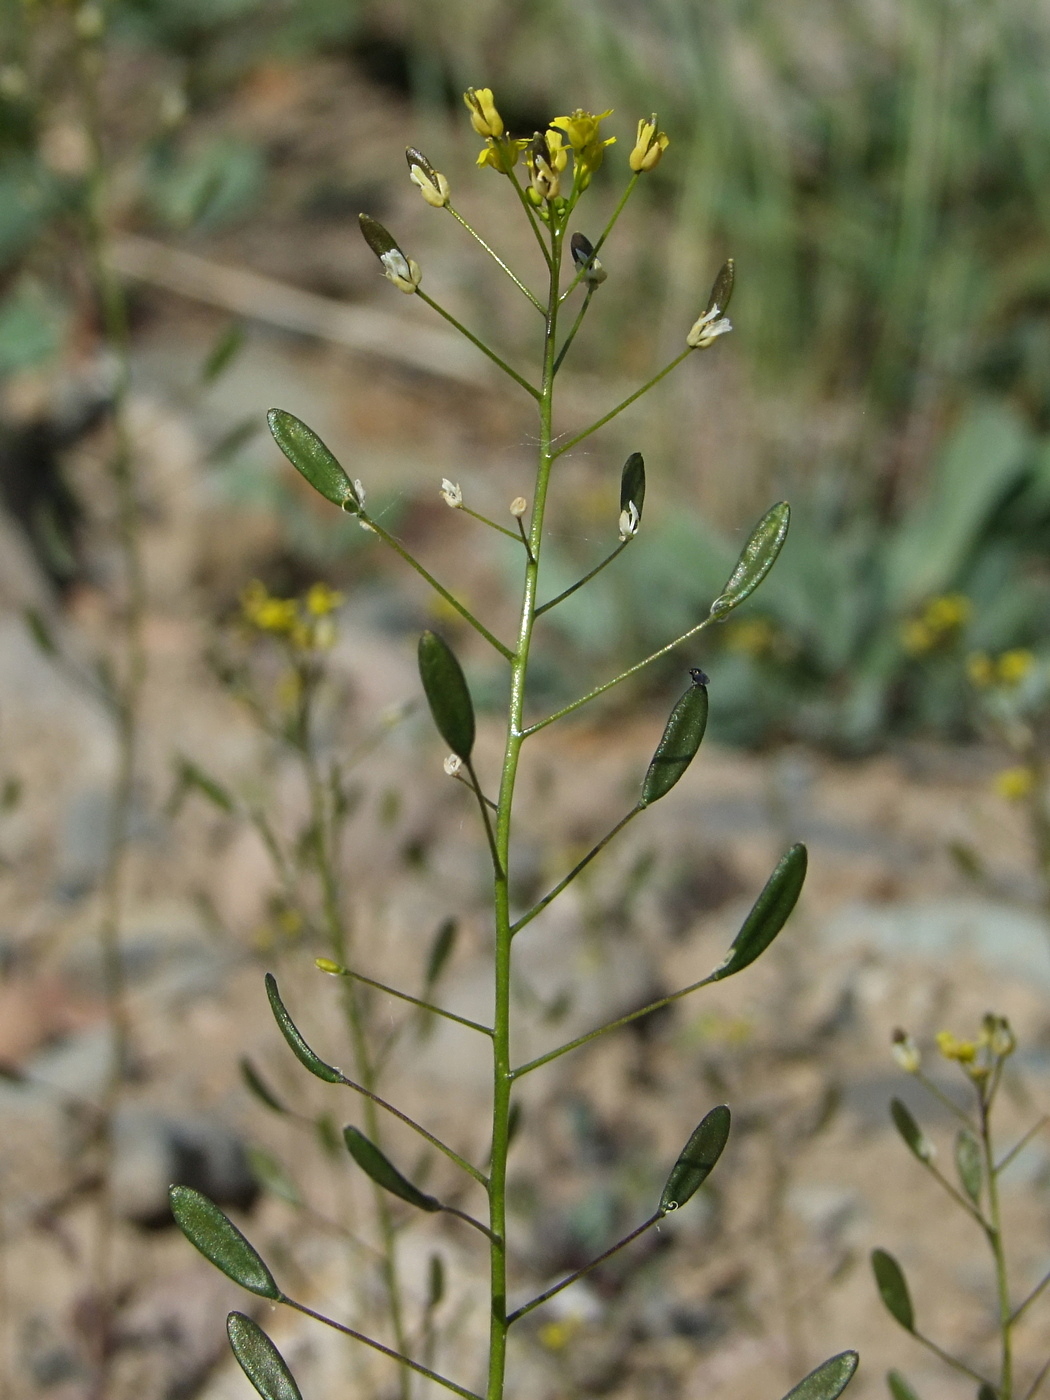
516 737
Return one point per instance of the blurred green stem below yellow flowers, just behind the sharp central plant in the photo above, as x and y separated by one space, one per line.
338 936
